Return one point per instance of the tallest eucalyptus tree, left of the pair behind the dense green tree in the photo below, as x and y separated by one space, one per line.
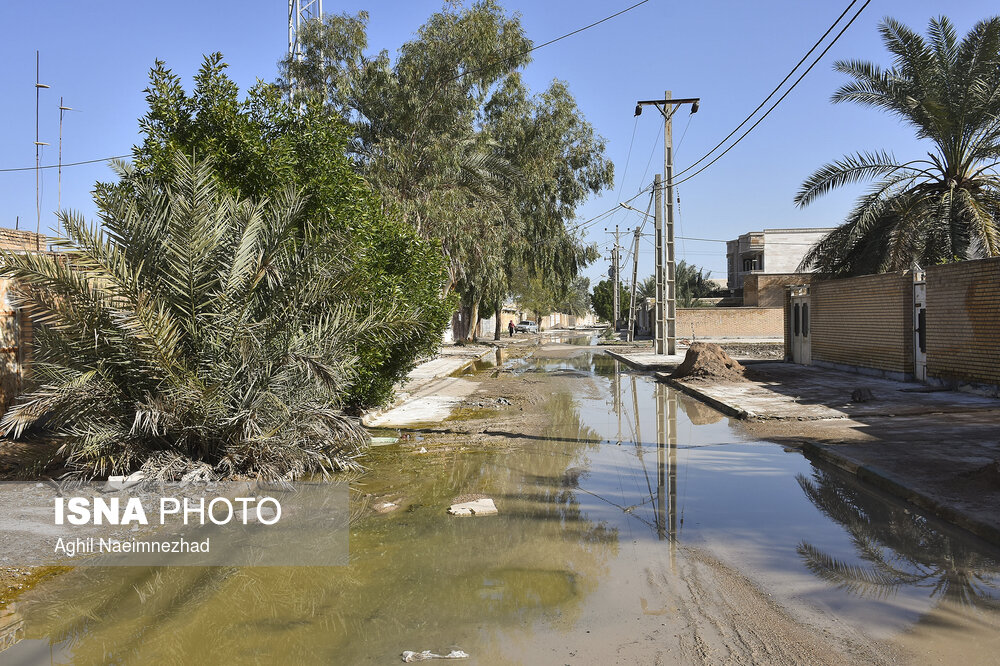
415 117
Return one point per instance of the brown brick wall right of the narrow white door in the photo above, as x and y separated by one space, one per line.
963 322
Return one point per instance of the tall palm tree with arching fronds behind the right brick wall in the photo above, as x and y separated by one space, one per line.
928 211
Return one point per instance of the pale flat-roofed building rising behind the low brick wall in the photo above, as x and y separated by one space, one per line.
769 251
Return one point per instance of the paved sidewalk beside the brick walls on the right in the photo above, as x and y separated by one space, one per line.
938 450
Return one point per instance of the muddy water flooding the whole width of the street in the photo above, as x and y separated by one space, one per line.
636 525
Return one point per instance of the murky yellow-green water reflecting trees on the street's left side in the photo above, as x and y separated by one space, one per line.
418 578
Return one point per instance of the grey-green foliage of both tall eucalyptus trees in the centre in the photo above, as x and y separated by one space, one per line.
448 133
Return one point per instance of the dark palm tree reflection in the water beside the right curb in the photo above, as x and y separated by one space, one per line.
898 548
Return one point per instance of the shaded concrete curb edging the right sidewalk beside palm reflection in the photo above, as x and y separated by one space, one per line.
894 486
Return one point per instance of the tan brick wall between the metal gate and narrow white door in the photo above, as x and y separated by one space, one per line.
864 322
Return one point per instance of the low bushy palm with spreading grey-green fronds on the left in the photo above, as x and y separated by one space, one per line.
194 328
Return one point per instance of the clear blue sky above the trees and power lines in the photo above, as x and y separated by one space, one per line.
97 55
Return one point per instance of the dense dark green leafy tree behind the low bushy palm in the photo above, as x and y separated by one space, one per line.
260 147
